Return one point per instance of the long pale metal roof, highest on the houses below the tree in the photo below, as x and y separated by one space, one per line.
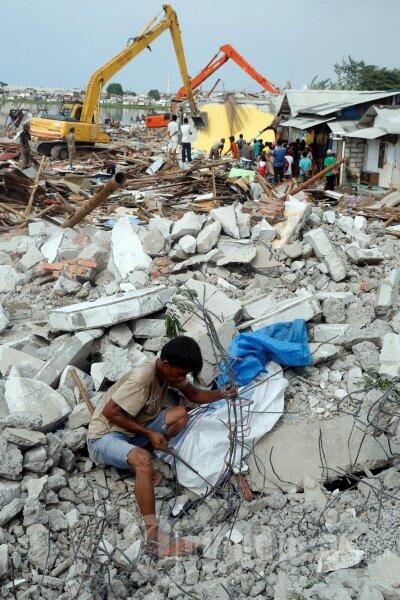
324 102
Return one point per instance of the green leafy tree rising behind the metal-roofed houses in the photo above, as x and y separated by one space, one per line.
357 75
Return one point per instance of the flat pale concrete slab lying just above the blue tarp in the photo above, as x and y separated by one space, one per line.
267 310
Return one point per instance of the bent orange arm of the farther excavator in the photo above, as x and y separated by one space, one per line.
228 52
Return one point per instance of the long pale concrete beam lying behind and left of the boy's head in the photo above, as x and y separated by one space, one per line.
114 309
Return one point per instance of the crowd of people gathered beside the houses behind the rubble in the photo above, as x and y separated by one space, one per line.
278 160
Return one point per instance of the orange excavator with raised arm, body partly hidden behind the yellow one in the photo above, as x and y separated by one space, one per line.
227 52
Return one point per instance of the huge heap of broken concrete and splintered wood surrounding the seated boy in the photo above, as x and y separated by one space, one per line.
93 300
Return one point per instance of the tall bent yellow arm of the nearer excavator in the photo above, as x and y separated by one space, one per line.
139 43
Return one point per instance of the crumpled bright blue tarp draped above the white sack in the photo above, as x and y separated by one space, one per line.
284 343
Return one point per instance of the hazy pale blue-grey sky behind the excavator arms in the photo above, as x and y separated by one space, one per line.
59 43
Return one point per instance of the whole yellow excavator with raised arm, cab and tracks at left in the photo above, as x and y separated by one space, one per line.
84 116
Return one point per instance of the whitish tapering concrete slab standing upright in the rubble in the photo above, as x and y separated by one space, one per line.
127 253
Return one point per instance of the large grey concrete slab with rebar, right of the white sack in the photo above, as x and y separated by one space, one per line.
296 452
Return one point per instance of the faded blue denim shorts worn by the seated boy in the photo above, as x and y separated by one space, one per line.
113 448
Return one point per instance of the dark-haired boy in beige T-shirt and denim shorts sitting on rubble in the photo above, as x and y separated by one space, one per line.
129 419
